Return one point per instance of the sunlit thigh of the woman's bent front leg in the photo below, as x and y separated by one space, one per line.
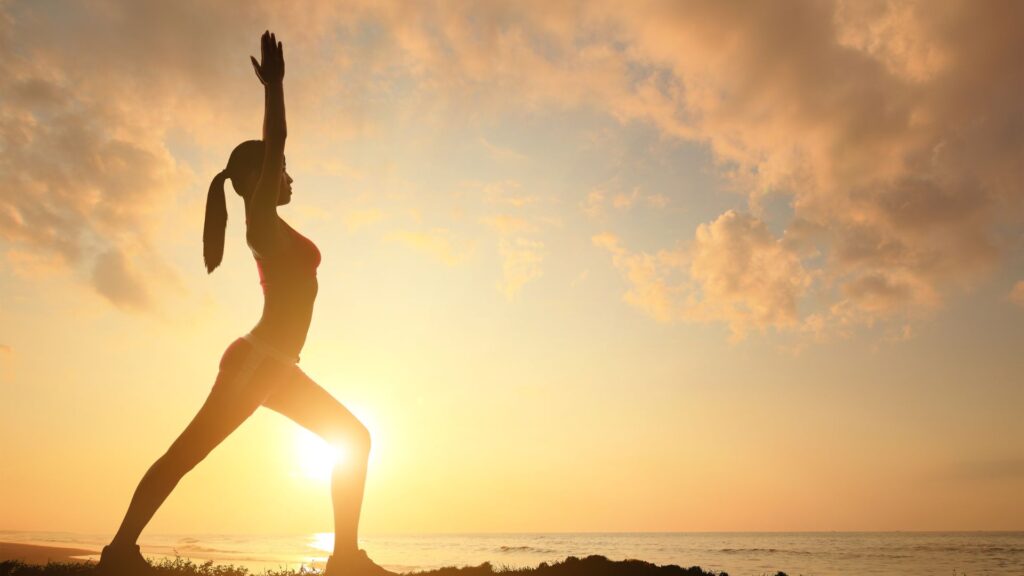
306 402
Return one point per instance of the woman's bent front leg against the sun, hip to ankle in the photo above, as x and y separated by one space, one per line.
311 406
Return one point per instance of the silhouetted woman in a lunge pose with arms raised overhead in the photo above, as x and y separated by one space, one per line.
261 368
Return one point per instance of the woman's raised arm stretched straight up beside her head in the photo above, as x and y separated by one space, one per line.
262 231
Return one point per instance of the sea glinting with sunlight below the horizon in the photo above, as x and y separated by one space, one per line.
740 554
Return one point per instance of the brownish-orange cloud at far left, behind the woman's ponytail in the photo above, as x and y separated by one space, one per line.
70 186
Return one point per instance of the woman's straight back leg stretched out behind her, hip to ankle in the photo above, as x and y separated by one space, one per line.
238 392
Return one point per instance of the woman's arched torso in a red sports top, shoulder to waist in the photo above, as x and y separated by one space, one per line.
289 280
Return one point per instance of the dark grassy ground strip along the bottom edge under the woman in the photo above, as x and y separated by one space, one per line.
590 566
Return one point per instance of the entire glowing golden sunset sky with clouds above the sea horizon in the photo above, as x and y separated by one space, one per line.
587 266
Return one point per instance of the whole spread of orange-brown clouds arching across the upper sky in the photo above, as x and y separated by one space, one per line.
891 131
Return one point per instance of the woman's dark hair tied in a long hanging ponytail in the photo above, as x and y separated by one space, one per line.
246 159
